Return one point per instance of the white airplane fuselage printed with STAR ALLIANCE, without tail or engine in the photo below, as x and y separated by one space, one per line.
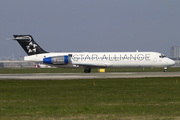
108 59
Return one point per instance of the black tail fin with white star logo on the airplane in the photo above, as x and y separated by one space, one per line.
28 44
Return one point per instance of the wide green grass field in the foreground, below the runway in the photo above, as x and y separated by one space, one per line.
142 98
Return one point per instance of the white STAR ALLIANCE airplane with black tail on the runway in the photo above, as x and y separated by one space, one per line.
90 60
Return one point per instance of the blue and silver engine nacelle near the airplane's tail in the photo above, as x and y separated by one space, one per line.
57 60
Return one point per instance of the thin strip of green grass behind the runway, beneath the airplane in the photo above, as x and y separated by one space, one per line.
79 70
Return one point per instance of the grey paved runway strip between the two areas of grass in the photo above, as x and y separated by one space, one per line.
64 76
